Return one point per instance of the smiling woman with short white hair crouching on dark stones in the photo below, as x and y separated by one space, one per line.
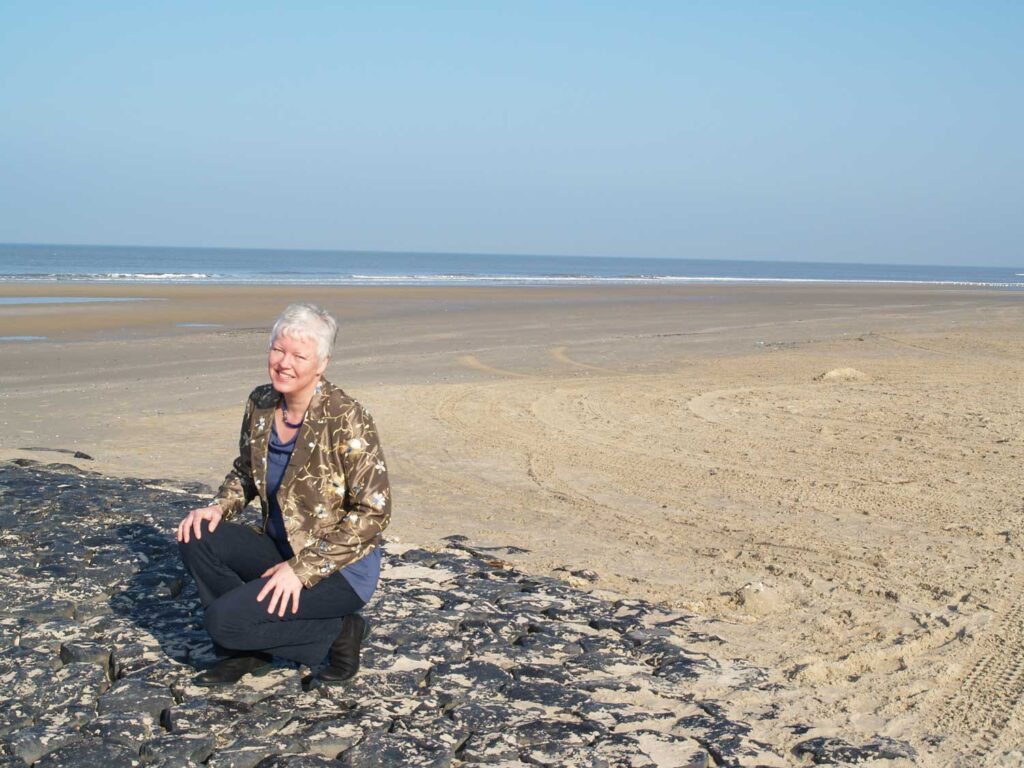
294 586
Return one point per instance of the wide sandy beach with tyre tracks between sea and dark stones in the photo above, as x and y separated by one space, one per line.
826 477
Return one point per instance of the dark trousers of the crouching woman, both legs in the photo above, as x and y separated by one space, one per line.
227 566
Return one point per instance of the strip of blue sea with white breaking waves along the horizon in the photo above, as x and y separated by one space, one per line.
141 266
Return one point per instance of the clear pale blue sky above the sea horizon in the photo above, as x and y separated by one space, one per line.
816 132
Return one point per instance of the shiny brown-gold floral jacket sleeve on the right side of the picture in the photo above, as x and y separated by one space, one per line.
368 503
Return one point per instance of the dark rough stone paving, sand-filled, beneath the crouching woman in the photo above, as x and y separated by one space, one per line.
470 662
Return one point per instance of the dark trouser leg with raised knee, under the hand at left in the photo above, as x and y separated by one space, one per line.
227 559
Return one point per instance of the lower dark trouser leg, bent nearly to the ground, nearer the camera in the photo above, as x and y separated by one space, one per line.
237 621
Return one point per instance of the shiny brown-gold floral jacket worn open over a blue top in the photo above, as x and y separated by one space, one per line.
335 496
